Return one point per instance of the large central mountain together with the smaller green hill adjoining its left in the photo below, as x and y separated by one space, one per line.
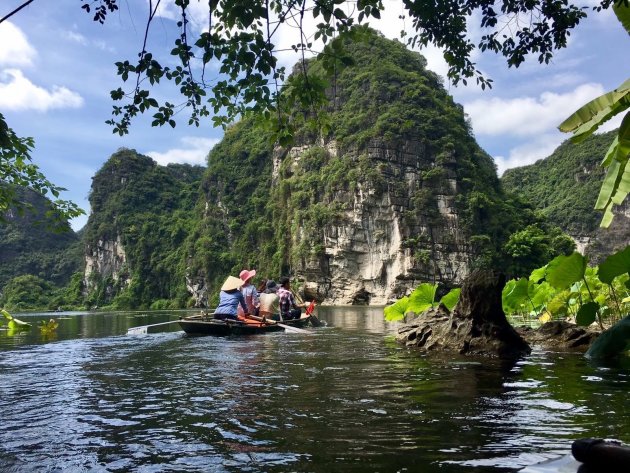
385 188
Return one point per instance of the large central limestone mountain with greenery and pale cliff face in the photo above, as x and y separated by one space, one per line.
393 193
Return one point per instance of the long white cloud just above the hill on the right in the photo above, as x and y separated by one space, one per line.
528 116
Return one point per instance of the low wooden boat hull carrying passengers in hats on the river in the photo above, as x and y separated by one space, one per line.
206 325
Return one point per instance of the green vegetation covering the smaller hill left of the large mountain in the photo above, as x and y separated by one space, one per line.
149 208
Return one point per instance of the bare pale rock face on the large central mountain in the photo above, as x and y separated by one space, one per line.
375 254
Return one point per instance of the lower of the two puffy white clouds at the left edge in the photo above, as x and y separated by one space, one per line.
19 93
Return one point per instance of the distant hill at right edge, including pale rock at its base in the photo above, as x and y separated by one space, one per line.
565 186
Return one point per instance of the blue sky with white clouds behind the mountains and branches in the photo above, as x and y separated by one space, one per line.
57 70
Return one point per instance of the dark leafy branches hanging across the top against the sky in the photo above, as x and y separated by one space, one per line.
242 41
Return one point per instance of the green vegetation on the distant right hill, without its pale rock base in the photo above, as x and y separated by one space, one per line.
565 186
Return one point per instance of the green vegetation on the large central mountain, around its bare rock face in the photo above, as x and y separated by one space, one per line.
389 99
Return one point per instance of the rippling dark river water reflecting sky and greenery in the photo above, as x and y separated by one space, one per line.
344 398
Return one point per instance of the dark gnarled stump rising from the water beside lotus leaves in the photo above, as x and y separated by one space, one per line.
477 325
